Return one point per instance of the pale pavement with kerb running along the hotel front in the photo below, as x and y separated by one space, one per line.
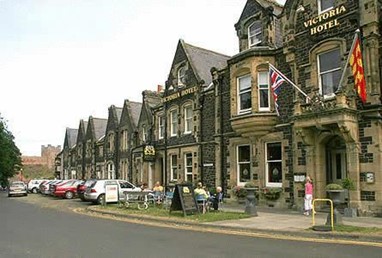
274 221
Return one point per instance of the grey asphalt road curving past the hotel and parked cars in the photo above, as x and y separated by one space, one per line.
32 229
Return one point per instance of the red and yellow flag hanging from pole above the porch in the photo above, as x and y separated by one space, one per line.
357 69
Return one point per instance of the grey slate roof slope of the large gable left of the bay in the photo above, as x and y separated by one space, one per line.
202 60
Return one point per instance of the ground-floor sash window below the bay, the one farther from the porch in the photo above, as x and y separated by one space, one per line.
244 163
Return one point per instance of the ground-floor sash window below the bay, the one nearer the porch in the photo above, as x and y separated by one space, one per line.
273 168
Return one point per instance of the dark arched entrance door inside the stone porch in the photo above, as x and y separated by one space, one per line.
336 160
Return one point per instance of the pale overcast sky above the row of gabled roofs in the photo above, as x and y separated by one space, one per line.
66 60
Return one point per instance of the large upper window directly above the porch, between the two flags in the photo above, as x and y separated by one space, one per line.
329 71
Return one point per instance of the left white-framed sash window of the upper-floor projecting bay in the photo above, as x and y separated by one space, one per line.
245 94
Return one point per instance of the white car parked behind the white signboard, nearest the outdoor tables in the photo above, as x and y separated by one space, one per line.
96 191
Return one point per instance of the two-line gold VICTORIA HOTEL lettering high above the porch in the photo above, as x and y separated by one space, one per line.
325 20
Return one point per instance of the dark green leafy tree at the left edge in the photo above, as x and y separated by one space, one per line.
10 155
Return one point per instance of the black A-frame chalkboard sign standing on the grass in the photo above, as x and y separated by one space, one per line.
183 199
